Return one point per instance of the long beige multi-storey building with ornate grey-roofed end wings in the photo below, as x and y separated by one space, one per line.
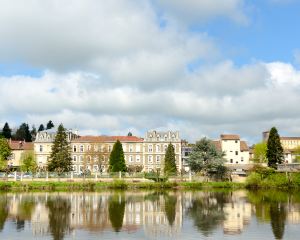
92 152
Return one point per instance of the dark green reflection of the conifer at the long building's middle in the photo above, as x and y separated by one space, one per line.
116 210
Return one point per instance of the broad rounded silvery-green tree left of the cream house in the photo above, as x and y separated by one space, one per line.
206 157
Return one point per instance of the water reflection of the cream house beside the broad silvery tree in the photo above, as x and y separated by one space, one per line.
237 212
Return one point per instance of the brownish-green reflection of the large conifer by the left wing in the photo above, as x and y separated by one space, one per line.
59 217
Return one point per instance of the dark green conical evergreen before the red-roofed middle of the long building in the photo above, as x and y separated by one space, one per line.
116 158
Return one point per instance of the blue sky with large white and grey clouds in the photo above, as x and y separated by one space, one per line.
203 67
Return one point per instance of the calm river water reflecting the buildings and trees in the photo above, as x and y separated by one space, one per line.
150 215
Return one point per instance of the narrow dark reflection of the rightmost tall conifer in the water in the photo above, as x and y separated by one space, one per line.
278 216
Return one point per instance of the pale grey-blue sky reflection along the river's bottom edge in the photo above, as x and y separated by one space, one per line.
254 230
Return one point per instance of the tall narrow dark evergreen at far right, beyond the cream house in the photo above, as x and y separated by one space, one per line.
275 151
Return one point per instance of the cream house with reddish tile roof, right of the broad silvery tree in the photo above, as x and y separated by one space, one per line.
236 151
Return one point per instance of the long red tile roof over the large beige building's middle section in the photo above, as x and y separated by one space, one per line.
108 139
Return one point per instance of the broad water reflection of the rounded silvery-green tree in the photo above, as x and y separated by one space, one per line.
207 211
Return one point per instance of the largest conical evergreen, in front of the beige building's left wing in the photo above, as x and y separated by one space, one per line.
60 158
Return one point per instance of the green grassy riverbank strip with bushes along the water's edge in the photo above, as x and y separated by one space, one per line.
253 181
